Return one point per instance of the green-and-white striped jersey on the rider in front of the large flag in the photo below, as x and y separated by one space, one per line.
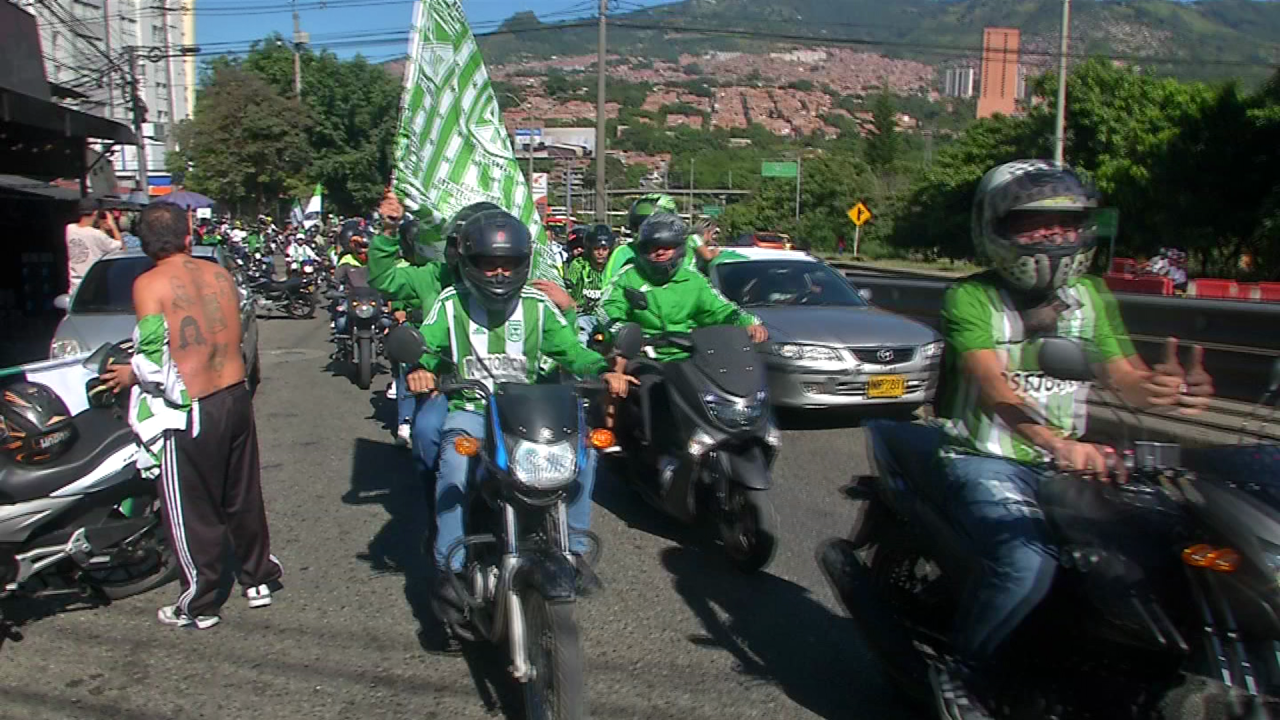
510 352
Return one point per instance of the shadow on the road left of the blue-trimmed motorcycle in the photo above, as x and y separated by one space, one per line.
385 475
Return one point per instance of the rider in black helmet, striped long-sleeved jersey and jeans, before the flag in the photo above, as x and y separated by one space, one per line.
492 307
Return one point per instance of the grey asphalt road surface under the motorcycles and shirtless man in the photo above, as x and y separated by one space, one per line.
675 635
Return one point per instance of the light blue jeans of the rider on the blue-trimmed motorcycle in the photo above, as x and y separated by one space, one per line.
456 471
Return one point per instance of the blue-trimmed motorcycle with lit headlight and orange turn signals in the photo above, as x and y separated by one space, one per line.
520 577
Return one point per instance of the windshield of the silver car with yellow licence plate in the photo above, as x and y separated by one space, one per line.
785 282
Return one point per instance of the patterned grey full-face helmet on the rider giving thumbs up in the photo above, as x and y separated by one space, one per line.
1034 186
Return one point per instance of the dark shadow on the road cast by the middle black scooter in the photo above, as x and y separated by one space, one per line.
779 634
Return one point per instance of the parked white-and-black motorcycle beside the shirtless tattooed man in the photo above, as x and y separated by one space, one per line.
86 525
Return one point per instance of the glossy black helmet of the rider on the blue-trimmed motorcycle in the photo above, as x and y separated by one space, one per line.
495 234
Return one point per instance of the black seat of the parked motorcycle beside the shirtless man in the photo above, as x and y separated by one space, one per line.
102 435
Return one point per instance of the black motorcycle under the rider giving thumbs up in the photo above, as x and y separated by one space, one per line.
1168 593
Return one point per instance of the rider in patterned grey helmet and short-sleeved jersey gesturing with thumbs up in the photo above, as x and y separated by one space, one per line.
1003 420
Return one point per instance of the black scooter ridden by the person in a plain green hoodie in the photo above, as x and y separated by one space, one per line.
711 452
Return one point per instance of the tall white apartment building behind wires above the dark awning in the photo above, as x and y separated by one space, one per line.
94 48
